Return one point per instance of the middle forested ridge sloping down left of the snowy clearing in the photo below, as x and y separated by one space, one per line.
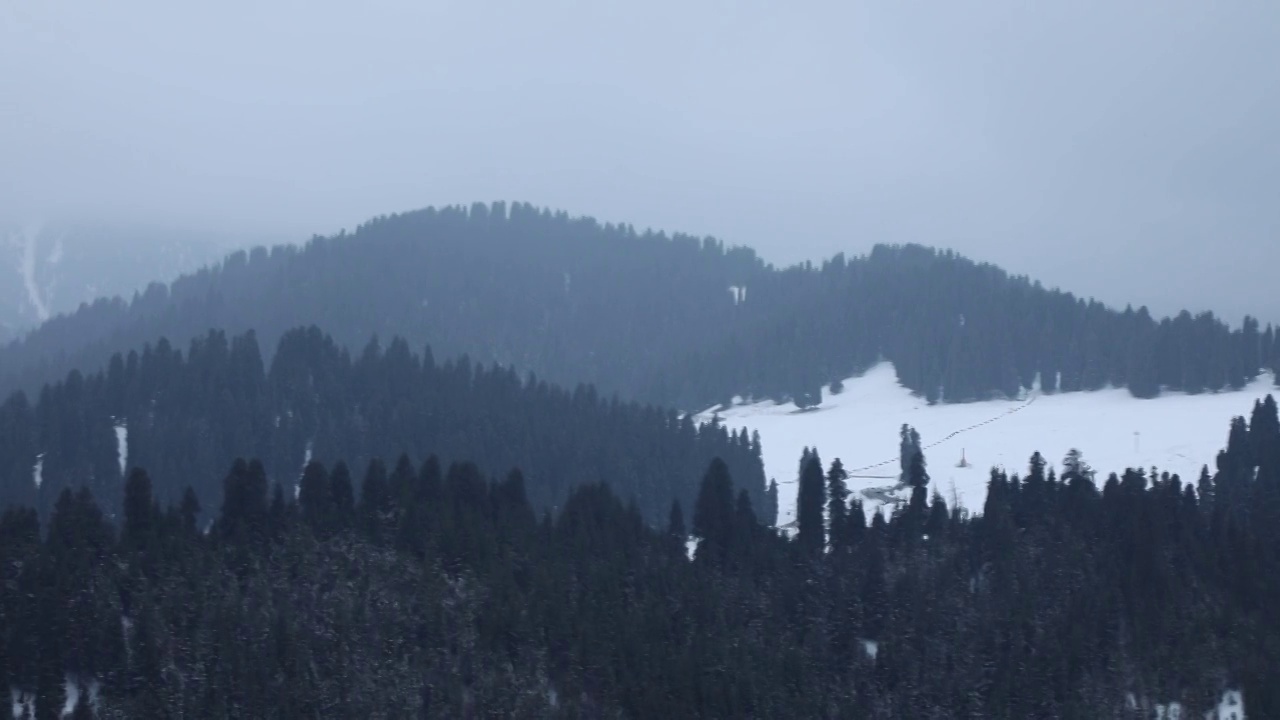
186 418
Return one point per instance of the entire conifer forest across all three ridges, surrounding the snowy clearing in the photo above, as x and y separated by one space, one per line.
446 467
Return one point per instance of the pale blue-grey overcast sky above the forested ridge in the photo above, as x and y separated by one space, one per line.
1121 149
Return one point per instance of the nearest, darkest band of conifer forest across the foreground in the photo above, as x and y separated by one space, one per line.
435 594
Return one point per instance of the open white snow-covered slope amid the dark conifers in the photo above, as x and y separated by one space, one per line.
1114 431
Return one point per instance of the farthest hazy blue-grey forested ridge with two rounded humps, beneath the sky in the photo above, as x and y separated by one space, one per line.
674 321
